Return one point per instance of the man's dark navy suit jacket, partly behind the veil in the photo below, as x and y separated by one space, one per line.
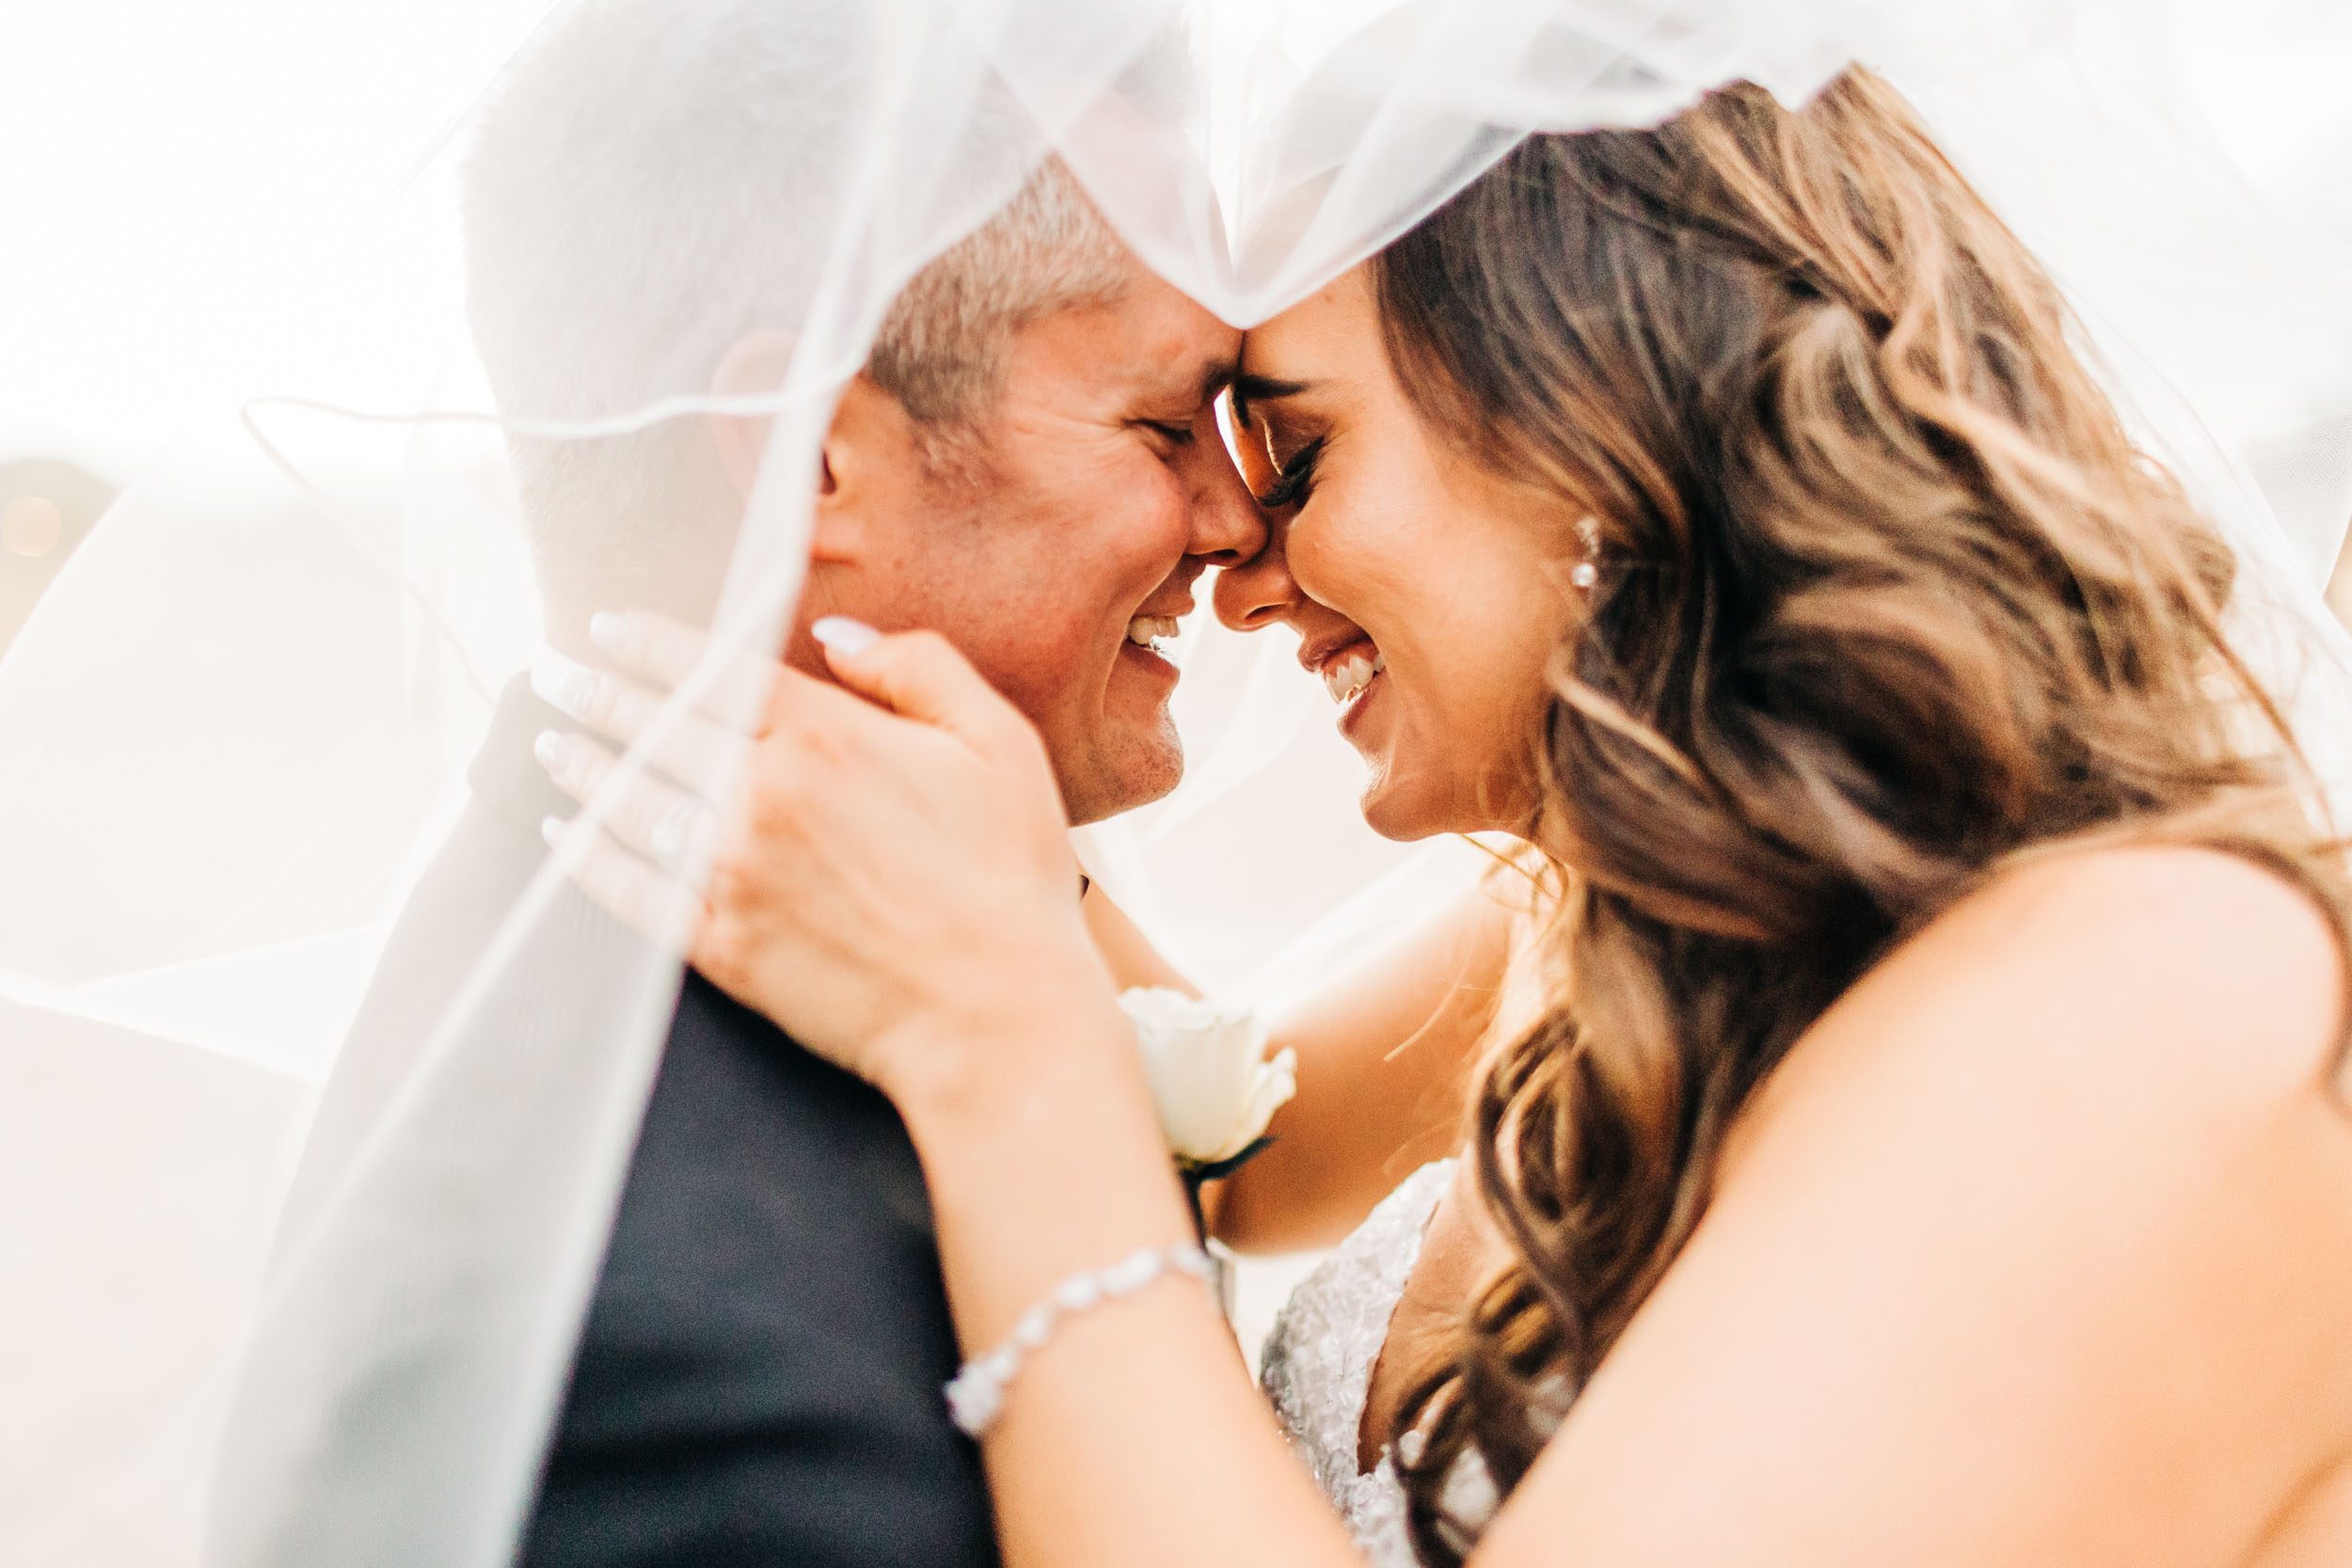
761 1374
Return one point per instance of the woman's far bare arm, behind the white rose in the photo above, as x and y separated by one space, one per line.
1384 1054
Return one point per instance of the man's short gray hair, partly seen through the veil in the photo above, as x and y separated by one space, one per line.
653 182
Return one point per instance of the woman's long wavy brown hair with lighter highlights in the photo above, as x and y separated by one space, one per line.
1885 601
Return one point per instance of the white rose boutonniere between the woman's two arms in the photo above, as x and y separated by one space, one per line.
1210 1078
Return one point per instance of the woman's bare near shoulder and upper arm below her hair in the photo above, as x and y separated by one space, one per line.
2038 1242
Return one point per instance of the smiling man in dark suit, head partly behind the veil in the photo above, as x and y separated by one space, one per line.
1029 464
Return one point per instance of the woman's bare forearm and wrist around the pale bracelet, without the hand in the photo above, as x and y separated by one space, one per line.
1135 1438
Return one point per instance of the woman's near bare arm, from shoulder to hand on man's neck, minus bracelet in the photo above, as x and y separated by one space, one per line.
2033 1252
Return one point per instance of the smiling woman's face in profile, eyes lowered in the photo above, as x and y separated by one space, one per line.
1394 554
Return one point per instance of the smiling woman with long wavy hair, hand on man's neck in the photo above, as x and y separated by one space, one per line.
1925 1141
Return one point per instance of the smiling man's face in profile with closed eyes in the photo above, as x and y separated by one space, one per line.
1097 495
